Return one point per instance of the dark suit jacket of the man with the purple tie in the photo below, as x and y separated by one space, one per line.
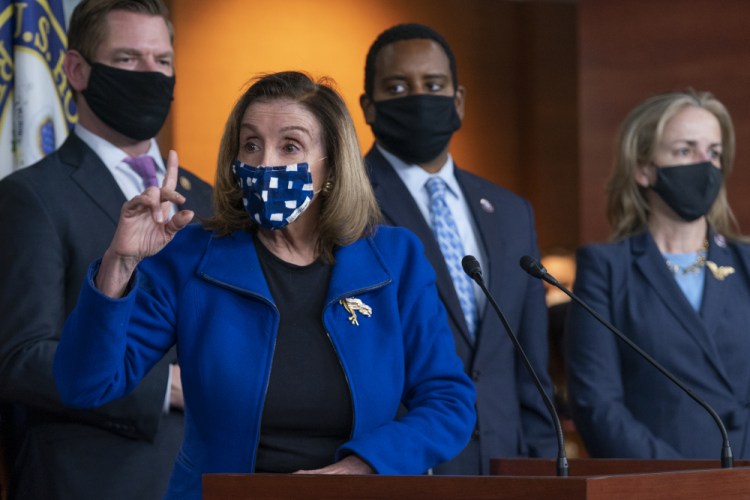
55 218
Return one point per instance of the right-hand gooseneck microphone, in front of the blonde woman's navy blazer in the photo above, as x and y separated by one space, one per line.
535 269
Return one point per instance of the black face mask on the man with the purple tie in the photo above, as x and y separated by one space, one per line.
134 103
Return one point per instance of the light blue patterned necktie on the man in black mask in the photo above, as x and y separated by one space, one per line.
449 240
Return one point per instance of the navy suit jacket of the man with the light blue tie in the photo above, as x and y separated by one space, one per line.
511 417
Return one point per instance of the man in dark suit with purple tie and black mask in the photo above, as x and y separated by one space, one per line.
55 218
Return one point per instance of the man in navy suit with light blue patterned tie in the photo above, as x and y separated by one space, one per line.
414 104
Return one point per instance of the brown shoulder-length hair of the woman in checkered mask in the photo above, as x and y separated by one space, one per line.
348 210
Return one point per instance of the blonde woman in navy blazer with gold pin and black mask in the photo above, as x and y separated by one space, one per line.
675 280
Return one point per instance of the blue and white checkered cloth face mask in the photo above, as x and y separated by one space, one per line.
274 196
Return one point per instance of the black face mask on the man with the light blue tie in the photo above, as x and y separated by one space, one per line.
416 128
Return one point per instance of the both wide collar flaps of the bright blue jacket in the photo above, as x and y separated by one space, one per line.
349 275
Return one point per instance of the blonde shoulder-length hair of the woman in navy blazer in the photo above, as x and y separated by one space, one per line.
628 209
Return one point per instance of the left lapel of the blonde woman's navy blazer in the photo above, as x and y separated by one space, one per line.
650 262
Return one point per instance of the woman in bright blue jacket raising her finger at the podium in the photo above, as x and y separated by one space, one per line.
300 324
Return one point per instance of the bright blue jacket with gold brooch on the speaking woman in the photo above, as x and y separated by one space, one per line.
208 296
